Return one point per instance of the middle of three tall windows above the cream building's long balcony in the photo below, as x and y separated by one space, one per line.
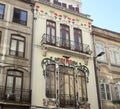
64 35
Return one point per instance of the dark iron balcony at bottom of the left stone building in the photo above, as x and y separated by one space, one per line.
22 97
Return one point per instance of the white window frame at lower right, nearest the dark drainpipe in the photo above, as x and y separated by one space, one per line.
105 82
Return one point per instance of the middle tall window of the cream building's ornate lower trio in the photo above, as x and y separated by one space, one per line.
66 86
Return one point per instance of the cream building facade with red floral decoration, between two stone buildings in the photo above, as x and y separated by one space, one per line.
63 69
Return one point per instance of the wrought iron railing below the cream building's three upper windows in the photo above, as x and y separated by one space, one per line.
66 44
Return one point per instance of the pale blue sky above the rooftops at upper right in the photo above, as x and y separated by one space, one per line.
104 13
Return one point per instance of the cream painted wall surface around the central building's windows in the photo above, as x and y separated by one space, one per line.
38 81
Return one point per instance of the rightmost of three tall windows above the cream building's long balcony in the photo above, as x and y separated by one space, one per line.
77 39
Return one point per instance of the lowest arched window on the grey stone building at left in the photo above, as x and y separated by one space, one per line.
13 84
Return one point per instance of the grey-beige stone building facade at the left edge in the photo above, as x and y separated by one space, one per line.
15 54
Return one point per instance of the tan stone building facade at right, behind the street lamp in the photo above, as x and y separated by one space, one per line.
108 66
